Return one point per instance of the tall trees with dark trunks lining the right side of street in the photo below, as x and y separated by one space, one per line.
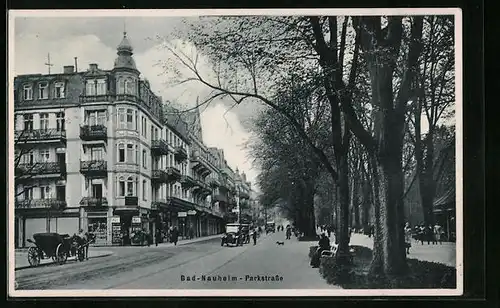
346 100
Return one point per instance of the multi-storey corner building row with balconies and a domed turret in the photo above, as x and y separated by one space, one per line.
95 151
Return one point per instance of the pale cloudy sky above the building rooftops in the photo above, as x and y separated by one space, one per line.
94 40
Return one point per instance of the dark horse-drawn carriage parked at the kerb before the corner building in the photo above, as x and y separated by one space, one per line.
58 247
